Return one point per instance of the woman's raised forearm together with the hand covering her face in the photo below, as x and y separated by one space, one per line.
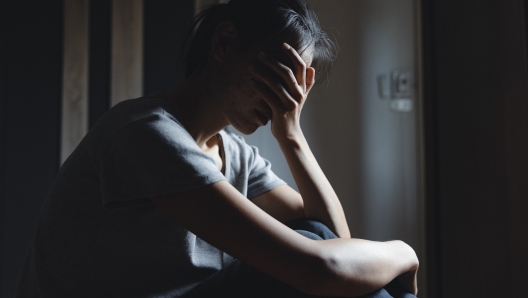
285 90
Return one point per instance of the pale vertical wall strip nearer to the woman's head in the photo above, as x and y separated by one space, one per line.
127 50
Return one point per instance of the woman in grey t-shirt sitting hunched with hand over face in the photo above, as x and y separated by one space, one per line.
154 201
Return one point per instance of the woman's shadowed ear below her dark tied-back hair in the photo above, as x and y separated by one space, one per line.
225 40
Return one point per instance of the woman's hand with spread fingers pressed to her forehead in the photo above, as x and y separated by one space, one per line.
285 90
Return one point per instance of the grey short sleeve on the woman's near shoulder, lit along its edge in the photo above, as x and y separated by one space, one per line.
150 156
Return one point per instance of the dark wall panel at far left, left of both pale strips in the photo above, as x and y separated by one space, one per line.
30 93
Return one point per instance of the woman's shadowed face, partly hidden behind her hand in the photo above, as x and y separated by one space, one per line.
241 105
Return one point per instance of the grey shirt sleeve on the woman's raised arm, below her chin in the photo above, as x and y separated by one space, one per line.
261 178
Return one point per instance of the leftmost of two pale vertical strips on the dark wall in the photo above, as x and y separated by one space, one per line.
75 76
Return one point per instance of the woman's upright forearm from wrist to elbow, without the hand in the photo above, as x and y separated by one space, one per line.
320 199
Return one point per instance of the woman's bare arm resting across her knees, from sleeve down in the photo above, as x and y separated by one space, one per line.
223 217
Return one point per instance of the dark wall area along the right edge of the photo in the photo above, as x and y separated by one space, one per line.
476 111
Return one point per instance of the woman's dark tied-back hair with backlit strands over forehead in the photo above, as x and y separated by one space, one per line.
261 22
